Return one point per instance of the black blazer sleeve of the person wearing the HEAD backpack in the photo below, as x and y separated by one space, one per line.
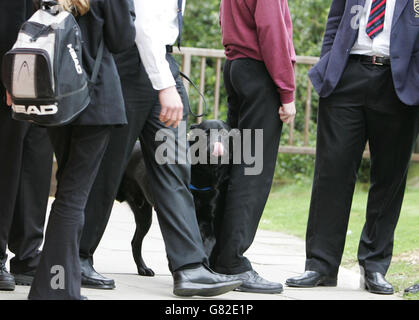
119 29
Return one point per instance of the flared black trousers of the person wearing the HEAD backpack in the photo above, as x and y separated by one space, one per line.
79 151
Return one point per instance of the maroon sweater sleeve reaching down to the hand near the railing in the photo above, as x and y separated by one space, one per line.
274 29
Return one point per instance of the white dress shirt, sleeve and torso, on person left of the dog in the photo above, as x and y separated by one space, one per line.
157 25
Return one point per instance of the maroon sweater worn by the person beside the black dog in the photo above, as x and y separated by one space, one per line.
261 30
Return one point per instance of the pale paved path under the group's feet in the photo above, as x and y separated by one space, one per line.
275 256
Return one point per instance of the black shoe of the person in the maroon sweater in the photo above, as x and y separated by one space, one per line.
253 282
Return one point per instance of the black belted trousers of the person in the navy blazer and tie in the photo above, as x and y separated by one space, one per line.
364 107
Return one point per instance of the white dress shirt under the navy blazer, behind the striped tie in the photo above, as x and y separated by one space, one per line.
380 45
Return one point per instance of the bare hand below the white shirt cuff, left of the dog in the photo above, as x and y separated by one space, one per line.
171 107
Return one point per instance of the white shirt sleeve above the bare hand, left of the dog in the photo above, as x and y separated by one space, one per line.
149 26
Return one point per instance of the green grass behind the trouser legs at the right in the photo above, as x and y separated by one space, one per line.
287 211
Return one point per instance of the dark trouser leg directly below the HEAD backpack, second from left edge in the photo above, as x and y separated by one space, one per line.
26 234
